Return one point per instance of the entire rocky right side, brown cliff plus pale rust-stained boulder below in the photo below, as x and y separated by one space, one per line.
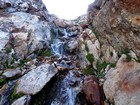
116 26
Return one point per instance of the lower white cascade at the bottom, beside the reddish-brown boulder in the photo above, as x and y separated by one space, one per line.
67 90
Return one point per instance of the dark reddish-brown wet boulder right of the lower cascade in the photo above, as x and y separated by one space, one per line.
92 90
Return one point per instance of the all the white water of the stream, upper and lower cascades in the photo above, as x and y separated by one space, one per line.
70 85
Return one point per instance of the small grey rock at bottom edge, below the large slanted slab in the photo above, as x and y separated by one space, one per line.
25 100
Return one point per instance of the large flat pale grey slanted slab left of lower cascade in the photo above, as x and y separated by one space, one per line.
36 79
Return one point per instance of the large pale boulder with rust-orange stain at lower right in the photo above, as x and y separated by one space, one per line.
123 83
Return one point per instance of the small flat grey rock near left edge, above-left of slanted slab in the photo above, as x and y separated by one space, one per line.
11 73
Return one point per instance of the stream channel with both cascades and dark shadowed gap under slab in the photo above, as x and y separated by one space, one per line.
65 86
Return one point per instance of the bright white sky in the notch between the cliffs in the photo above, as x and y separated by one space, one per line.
67 9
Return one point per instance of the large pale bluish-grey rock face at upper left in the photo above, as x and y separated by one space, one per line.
23 26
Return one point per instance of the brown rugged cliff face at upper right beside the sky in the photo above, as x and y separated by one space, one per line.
117 23
